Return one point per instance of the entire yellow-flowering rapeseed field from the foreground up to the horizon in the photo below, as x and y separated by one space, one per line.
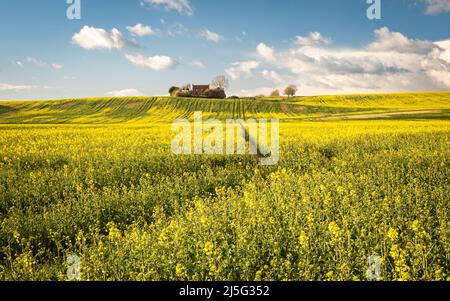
359 177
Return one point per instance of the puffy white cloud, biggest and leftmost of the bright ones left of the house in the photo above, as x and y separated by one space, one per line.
98 38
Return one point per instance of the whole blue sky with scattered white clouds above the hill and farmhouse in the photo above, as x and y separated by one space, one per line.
323 46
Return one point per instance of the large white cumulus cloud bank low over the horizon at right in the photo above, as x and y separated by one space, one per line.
392 62
